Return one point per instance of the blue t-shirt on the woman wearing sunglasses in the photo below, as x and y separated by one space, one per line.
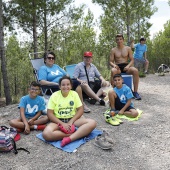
52 74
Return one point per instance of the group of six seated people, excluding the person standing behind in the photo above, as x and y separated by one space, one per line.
66 106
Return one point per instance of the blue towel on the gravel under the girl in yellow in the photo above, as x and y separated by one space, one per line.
72 147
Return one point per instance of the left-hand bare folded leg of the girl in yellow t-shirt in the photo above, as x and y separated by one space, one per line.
52 133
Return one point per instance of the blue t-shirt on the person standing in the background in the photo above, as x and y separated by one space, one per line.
139 51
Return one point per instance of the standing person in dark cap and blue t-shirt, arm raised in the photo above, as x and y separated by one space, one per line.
140 56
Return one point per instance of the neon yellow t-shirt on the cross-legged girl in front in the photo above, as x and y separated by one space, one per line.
64 107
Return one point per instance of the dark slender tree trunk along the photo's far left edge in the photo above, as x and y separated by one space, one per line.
3 63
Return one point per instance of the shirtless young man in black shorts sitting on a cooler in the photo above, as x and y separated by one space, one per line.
121 61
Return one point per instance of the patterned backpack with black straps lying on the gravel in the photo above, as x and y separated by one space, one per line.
8 136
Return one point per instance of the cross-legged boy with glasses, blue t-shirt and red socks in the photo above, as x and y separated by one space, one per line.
31 107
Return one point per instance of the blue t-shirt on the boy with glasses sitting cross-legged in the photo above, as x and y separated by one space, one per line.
31 106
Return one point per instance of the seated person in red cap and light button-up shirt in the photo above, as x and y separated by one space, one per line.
86 73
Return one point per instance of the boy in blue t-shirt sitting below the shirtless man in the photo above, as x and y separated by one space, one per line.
120 99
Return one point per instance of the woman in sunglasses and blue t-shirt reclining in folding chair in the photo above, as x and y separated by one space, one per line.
50 74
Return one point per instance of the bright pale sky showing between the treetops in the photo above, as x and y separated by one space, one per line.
158 19
